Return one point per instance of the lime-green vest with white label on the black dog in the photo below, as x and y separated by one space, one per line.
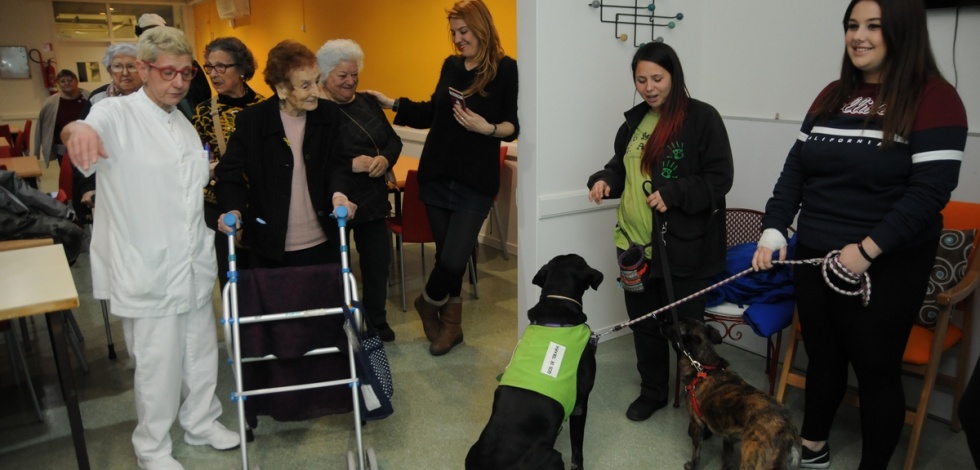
546 361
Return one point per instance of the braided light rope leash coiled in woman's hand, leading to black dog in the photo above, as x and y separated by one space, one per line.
829 264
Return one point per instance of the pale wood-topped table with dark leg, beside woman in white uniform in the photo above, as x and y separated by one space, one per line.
35 281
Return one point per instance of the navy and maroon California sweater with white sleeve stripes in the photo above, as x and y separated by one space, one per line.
846 186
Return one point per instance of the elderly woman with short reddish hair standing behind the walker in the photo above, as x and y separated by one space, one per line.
278 174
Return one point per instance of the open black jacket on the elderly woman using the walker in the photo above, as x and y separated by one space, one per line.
255 175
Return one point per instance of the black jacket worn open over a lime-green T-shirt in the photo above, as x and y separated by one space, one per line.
694 193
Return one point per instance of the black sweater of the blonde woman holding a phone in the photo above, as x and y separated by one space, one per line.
451 152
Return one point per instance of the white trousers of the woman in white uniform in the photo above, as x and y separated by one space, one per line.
176 358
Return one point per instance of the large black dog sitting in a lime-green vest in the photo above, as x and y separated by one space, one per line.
524 424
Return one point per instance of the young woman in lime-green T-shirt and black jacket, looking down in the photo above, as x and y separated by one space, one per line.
672 155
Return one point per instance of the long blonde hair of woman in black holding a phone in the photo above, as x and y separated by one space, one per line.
477 18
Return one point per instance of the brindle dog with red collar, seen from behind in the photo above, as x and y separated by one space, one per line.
731 408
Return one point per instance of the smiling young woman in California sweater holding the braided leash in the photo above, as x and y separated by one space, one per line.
878 156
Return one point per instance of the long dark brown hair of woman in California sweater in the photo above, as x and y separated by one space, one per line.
907 65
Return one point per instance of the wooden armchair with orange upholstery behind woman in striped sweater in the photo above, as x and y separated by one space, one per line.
926 346
